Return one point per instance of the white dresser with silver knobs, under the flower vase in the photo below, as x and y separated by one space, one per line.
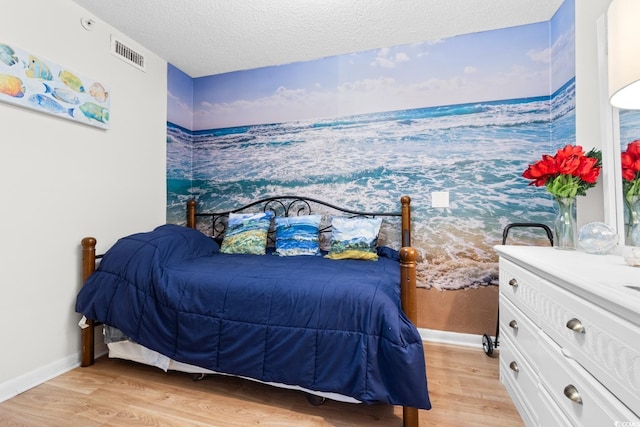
570 337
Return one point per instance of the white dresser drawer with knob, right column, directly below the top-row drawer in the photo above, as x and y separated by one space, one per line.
584 400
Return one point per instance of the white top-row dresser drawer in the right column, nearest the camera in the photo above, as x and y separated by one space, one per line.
605 345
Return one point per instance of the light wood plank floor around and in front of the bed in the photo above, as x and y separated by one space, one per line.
463 384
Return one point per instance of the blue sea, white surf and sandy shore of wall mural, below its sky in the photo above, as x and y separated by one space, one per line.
475 151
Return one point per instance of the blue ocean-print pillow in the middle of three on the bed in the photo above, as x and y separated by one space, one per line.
297 235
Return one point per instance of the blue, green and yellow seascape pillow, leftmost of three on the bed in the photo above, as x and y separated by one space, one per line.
247 233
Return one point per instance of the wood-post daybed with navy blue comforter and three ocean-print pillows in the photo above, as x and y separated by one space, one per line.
206 298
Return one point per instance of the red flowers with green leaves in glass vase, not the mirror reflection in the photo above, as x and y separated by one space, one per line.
569 173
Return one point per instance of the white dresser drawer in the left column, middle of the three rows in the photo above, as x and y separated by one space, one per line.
519 329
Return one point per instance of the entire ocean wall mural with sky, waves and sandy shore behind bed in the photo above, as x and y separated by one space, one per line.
464 115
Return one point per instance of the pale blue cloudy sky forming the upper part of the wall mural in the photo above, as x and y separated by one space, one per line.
493 65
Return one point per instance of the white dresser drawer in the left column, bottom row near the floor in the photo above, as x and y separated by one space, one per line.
521 382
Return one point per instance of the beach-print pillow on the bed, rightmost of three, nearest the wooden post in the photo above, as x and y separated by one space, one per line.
354 238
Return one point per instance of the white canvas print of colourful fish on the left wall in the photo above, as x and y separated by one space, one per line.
34 82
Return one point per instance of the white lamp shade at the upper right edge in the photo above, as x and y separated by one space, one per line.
623 34
